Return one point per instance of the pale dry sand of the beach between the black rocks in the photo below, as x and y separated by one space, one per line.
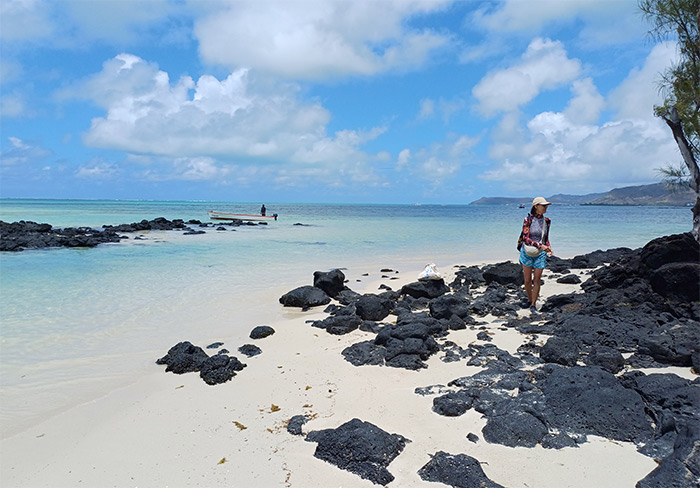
171 430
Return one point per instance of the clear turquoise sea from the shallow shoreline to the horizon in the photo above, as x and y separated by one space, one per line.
79 323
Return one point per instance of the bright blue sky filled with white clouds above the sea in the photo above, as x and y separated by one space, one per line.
328 101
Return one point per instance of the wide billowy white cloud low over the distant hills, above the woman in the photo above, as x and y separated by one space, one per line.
558 154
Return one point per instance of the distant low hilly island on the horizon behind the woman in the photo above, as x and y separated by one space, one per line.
654 195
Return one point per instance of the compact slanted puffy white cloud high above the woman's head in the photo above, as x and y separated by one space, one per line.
544 66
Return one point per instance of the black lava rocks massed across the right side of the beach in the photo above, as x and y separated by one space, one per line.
639 308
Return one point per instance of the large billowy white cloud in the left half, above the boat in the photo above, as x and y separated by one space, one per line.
234 119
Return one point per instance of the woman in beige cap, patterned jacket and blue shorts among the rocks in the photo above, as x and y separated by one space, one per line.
534 248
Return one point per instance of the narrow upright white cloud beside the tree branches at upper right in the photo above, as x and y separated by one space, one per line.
636 96
